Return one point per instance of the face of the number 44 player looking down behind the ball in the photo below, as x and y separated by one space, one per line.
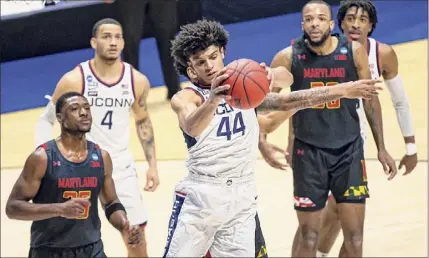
205 65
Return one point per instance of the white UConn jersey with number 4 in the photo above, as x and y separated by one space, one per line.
110 108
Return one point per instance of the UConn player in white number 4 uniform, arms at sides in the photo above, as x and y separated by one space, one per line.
113 88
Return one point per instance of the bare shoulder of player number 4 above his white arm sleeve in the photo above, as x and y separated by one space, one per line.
71 81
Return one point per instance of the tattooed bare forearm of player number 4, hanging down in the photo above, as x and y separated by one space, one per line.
147 140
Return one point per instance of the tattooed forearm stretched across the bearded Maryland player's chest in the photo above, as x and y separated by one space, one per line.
301 99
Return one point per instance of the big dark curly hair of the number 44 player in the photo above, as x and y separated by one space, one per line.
195 37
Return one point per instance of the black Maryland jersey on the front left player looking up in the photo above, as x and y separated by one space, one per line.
64 180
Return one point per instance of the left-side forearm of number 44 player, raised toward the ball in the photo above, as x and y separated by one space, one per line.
196 122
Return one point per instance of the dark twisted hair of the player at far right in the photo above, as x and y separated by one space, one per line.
366 5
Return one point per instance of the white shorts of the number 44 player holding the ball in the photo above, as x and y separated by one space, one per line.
212 214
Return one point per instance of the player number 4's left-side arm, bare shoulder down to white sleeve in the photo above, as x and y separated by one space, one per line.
71 81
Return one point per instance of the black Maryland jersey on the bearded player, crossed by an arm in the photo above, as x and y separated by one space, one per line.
333 124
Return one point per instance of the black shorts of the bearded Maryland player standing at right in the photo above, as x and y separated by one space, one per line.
318 170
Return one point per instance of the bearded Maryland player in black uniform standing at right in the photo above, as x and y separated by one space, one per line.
327 153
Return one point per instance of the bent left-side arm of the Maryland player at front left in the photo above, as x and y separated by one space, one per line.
25 189
